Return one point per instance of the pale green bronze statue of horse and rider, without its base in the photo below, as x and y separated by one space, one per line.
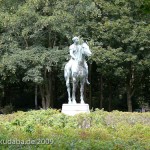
77 69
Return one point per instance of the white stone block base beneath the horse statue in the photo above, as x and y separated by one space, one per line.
73 109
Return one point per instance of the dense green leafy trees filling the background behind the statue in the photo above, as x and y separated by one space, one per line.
34 40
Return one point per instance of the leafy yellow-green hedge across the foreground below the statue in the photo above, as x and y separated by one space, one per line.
98 130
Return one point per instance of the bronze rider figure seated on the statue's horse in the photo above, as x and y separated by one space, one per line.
74 51
